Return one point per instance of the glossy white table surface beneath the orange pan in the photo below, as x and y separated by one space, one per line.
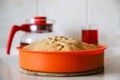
9 68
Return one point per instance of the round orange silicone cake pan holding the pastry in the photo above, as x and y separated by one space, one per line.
75 61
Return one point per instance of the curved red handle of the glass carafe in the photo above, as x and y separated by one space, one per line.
15 28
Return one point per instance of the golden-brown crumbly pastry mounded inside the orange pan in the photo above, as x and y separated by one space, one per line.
59 43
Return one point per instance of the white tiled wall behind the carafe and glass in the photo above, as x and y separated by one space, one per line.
69 16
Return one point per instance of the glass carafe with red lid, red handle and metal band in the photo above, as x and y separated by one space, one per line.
35 29
